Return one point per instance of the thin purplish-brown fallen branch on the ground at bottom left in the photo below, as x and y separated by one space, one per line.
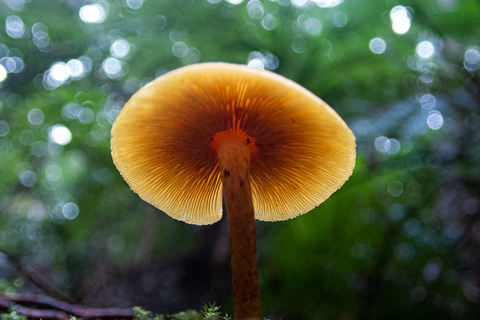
61 311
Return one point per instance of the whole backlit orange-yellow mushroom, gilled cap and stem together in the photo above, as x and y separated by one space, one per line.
271 147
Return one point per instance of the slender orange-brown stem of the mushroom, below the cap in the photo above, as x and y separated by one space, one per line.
234 164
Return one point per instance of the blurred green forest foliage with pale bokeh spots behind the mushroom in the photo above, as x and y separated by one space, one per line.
399 240
